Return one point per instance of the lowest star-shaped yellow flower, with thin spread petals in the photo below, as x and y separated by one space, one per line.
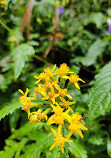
59 140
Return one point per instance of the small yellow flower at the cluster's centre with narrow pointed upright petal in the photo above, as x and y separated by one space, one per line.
50 96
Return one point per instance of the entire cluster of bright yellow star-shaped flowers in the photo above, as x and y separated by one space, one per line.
51 89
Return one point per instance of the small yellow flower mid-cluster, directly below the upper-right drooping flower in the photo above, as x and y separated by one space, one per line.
62 92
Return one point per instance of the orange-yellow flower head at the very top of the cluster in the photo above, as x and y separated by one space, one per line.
63 70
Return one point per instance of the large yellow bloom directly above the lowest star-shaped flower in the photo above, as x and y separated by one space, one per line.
59 116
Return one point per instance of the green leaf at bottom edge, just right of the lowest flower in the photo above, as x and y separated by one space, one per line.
77 149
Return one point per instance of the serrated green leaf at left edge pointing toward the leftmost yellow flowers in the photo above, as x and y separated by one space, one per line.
9 109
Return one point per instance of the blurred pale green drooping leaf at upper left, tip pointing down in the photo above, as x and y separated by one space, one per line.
21 55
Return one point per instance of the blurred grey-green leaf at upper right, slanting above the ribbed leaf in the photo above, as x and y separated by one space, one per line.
93 52
